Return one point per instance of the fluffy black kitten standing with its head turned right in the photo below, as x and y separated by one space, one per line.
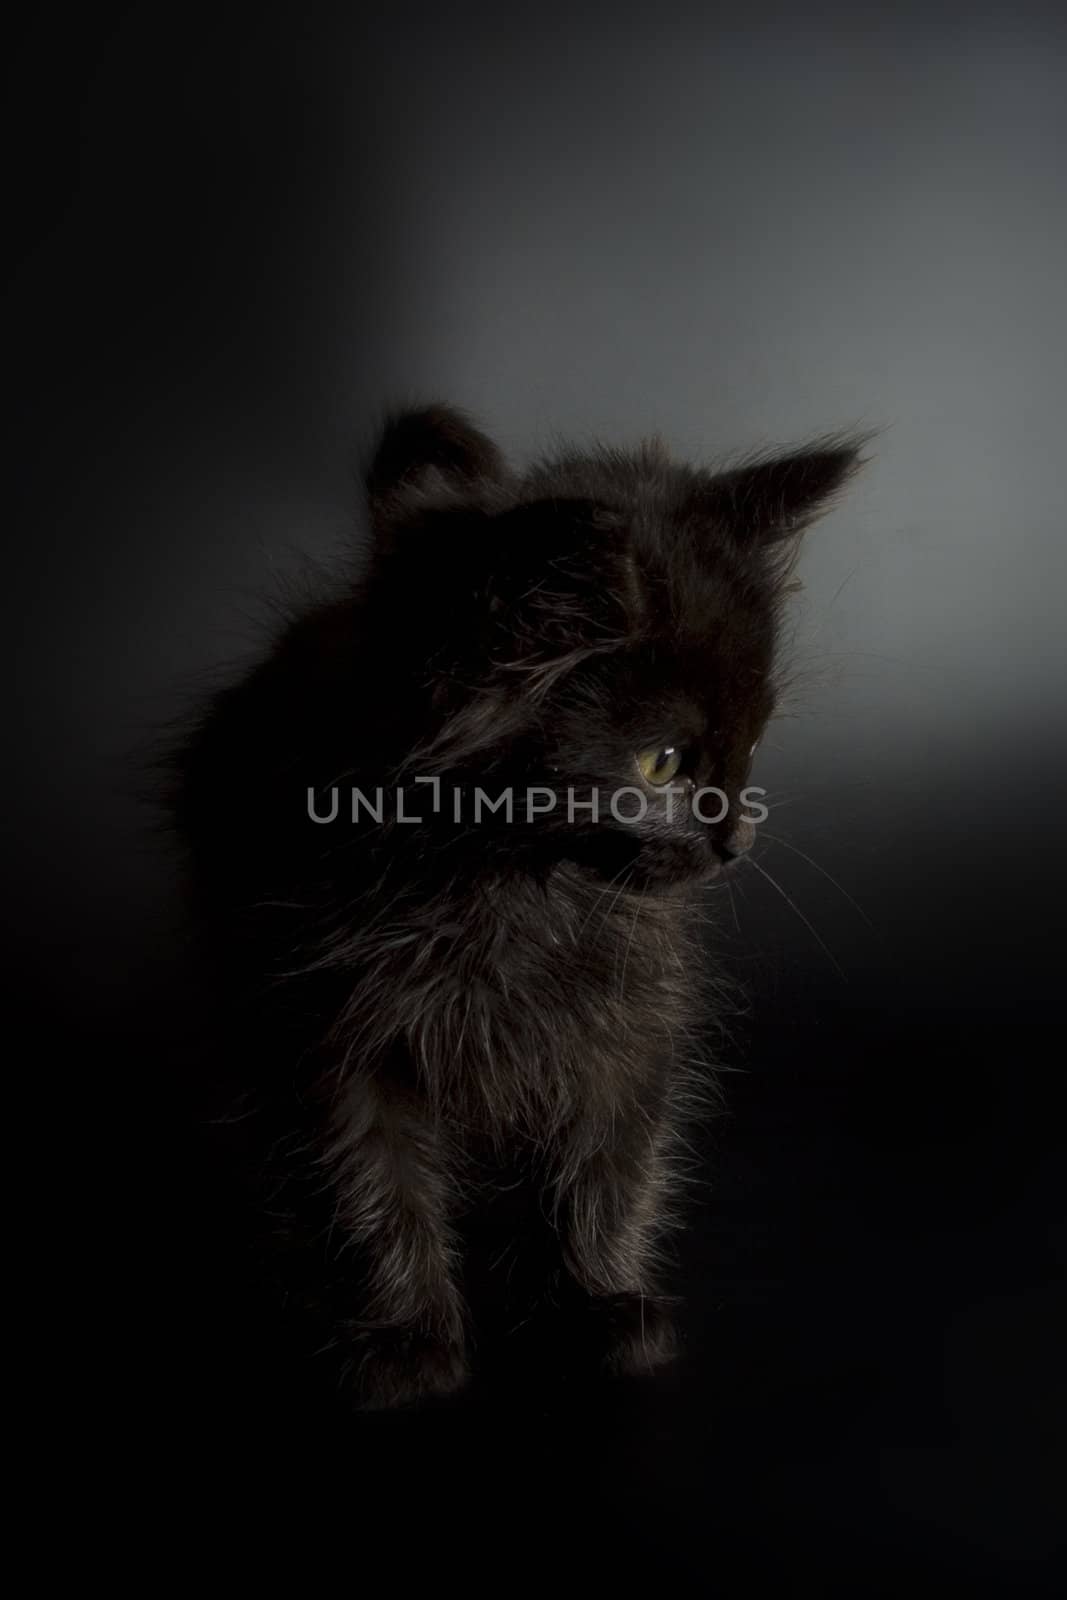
473 1036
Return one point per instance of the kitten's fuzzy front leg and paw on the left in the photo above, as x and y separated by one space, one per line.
393 1199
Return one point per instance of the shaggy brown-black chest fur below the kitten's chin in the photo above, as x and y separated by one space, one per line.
535 1007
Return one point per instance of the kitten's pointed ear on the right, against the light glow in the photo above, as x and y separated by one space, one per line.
780 497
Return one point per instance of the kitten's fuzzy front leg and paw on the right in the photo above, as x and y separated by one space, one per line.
612 1207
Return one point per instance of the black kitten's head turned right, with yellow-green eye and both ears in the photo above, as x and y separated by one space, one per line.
604 622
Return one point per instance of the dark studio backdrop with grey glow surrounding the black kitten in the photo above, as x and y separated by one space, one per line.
241 236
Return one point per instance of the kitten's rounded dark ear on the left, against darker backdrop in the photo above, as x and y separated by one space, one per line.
431 452
